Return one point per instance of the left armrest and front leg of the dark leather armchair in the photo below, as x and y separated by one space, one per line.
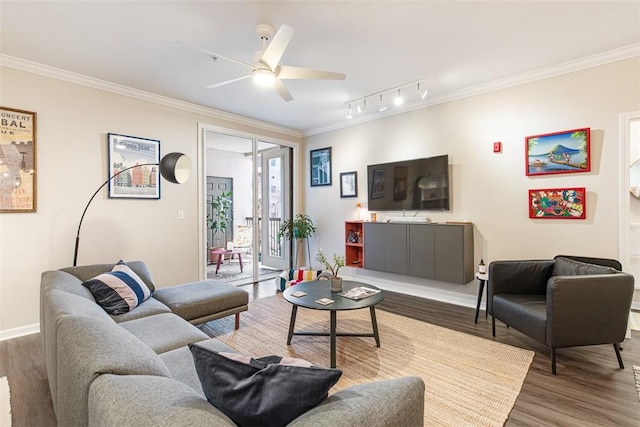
518 277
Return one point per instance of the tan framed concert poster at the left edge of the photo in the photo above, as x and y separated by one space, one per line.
18 187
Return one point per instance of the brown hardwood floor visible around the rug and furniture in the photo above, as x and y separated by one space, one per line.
589 389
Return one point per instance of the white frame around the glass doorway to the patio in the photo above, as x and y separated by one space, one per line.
296 186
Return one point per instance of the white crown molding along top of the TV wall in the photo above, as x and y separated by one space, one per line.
591 61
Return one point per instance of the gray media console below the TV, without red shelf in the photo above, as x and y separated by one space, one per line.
434 251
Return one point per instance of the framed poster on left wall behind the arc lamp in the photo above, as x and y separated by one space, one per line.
136 163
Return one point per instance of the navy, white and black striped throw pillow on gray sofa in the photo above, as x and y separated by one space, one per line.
118 291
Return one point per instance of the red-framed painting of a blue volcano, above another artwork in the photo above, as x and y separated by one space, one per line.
559 152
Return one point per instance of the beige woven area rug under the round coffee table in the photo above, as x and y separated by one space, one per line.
469 380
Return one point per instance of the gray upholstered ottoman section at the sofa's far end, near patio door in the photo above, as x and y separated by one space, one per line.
200 302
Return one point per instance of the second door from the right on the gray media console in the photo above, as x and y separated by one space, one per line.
421 250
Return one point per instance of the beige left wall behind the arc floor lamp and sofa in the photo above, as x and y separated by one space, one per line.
73 121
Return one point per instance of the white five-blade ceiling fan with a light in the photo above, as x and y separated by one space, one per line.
266 70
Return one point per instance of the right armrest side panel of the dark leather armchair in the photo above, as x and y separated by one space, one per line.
588 309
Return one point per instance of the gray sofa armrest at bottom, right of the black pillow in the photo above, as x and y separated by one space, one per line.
397 402
